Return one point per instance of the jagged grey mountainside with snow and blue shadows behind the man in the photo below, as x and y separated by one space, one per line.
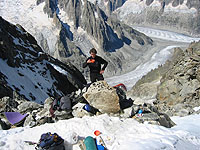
67 29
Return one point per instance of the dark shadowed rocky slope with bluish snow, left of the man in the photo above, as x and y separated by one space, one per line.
26 69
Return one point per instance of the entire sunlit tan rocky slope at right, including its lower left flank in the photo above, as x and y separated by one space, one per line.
176 91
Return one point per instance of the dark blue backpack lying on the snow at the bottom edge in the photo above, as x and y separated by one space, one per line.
50 141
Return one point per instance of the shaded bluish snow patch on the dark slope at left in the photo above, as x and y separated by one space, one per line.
31 81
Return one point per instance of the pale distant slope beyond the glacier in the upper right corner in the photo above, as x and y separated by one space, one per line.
177 15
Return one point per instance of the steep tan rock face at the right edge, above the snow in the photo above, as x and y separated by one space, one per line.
180 86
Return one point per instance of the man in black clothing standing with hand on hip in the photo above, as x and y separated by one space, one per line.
94 62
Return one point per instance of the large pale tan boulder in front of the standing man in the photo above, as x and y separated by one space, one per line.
103 97
